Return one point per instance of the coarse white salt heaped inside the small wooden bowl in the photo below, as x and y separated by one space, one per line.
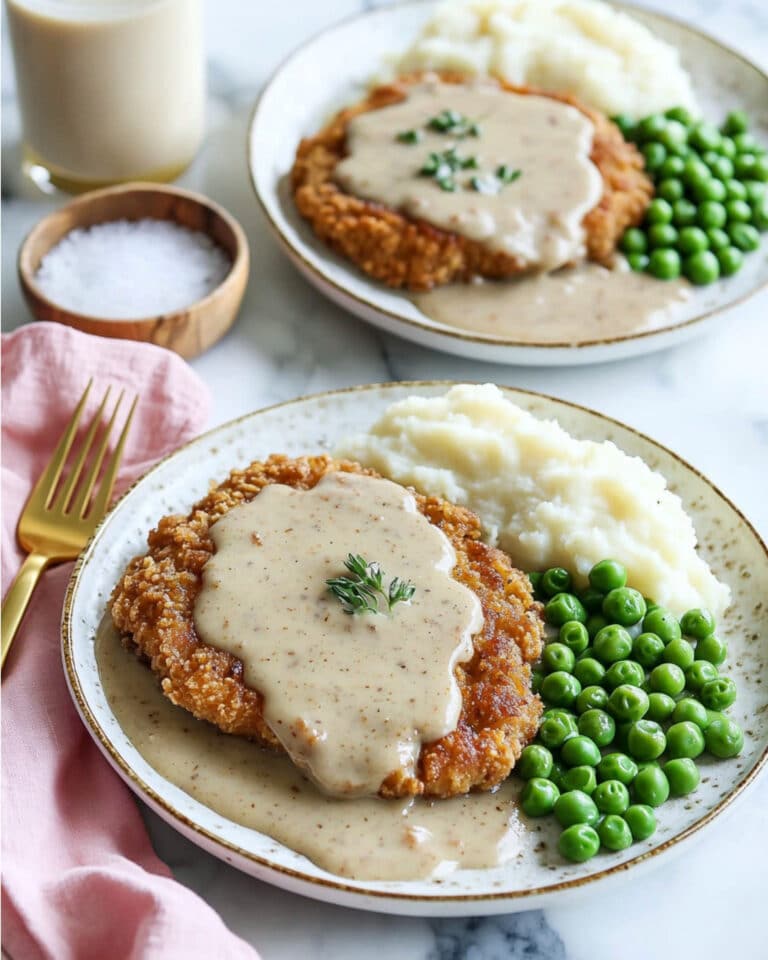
128 269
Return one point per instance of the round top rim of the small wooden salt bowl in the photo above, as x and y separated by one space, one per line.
239 262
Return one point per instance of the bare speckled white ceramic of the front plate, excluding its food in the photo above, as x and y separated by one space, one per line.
317 423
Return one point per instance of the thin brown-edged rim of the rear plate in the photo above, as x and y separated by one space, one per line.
343 292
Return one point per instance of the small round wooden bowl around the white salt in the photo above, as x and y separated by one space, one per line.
188 331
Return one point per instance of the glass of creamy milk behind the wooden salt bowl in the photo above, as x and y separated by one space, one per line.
110 90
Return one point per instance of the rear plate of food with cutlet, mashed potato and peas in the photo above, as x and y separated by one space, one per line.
370 254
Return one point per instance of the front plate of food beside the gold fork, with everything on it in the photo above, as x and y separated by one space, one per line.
500 452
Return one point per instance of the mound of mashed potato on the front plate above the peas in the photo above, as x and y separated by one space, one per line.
544 496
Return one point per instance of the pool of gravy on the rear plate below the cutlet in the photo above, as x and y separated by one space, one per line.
571 306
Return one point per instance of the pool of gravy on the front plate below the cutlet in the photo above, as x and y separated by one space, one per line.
364 839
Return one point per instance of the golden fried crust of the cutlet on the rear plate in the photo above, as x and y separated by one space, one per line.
403 252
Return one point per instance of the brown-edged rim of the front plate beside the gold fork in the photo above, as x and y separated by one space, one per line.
181 822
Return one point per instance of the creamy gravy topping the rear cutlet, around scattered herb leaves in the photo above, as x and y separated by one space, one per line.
537 218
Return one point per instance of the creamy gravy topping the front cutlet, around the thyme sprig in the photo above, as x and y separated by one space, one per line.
351 697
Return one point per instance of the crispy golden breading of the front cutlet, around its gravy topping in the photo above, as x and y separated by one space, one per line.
153 604
